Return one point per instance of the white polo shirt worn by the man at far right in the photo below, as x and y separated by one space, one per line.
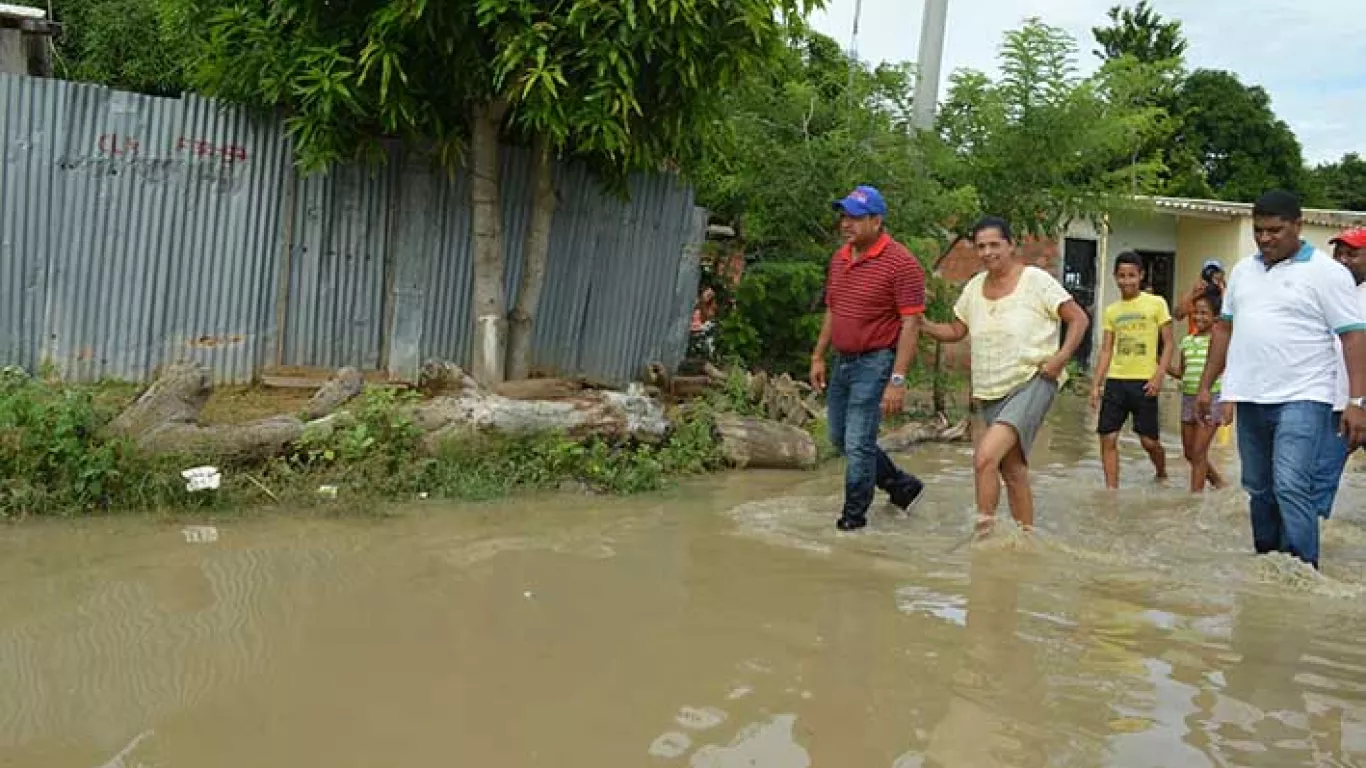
1286 326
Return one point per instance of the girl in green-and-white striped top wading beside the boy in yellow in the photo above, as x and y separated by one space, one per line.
1189 367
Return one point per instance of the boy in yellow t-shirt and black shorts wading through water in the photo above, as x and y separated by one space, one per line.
1136 353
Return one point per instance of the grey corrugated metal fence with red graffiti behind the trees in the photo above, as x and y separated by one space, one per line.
136 232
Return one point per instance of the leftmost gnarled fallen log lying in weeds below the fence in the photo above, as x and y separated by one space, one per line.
165 419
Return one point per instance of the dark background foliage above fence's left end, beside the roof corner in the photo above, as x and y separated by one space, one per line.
126 44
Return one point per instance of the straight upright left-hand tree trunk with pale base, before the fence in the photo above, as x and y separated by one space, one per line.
486 200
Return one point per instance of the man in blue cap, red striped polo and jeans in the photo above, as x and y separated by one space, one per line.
875 297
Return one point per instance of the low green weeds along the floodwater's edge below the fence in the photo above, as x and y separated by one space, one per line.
54 460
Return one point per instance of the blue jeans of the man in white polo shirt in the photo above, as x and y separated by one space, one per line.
1281 448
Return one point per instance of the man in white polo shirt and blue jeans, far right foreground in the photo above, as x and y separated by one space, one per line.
1282 312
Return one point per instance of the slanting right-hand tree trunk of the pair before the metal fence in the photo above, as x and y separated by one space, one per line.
535 255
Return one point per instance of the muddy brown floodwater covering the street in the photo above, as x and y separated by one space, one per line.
725 624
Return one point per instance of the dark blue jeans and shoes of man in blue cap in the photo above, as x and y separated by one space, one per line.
856 411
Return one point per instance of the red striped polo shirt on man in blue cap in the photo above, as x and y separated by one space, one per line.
869 296
